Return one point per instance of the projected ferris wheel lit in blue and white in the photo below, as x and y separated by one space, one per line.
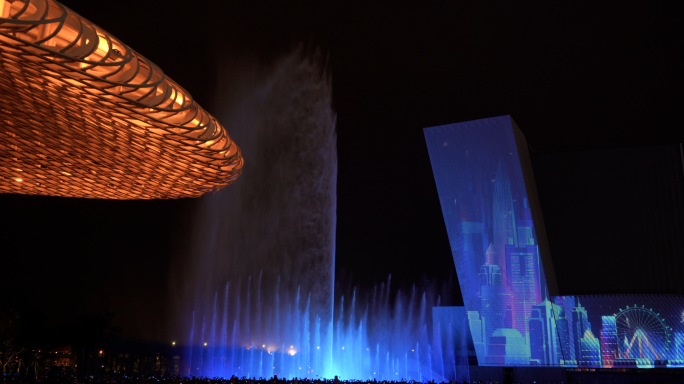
642 333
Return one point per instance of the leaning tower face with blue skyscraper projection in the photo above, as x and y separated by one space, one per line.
494 245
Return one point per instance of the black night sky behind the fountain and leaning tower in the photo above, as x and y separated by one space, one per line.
573 78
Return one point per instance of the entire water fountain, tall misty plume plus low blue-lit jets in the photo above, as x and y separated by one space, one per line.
254 297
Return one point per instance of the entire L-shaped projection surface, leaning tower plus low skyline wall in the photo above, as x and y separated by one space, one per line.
512 319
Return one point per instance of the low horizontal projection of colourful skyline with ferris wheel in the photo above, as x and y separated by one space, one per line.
622 331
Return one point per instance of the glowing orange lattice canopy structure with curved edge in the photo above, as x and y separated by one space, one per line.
83 115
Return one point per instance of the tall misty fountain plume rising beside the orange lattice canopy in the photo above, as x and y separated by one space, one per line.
260 267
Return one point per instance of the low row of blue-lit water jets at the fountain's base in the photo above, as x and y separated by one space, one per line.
377 335
